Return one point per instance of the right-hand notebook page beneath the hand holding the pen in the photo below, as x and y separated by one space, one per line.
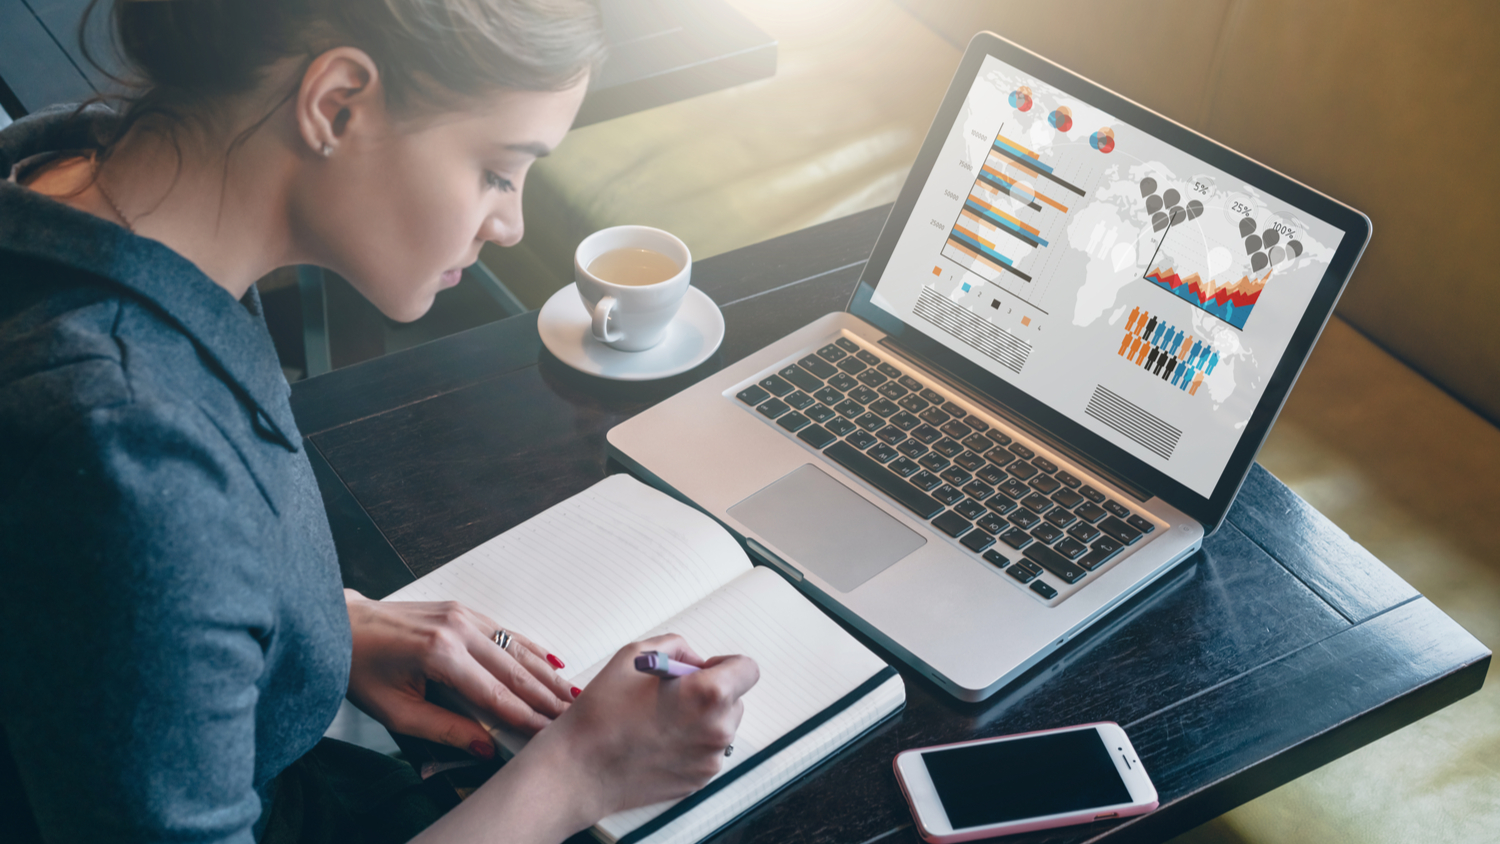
806 660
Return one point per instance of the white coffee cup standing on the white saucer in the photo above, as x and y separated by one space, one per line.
632 319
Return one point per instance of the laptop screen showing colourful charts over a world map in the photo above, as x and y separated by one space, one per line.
1138 290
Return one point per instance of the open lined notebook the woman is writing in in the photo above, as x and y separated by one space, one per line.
620 563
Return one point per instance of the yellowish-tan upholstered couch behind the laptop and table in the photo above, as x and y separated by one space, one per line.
1387 106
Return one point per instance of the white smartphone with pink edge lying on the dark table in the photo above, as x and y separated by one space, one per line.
1027 782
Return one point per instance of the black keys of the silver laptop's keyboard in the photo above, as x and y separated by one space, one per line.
971 480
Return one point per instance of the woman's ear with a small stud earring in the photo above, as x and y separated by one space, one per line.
340 95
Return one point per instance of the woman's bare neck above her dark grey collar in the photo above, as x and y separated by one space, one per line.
226 212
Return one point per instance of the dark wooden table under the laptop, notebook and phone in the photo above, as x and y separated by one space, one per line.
1277 648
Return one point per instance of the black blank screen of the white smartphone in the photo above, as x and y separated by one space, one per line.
1033 777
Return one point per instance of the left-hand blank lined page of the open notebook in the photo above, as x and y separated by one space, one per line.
592 573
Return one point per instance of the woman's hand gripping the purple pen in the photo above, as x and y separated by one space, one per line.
641 740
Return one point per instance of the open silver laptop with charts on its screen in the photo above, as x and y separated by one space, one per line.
1063 356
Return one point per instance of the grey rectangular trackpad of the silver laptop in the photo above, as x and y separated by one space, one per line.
827 528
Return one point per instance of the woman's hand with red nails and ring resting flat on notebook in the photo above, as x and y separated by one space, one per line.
403 647
